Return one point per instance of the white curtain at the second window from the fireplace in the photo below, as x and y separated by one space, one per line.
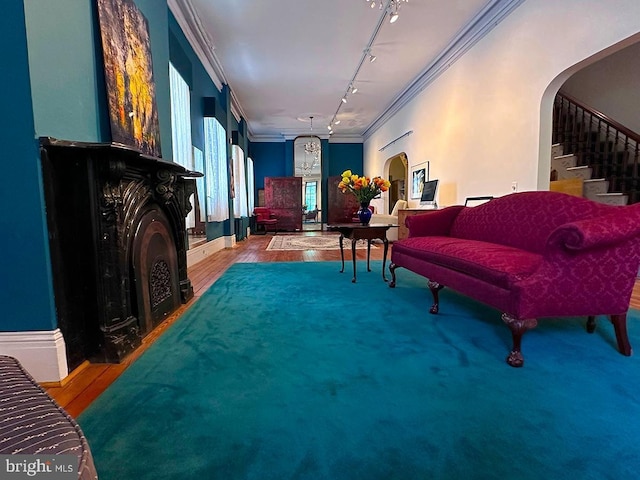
216 171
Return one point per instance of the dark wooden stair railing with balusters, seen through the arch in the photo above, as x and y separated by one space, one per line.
609 148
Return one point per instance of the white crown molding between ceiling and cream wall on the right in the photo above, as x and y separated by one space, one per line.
489 17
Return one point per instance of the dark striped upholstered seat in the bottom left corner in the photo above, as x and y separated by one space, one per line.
32 423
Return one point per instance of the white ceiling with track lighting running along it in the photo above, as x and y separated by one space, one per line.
288 60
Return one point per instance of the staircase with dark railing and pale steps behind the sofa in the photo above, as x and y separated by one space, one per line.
592 155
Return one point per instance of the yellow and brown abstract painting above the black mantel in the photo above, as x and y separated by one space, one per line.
133 113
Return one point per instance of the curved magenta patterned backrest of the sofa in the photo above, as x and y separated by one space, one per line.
524 220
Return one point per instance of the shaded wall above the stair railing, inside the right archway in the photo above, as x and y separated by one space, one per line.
611 86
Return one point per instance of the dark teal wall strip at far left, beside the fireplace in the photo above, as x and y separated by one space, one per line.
26 295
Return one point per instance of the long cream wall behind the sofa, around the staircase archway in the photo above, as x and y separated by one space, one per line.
485 122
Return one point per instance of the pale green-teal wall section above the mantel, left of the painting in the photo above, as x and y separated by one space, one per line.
64 76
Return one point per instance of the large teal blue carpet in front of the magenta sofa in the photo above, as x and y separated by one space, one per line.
290 371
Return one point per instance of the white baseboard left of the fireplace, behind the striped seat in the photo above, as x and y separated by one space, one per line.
41 353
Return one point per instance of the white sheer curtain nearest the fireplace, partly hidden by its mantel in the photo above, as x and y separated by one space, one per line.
181 127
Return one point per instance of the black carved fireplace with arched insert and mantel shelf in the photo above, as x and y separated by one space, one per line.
116 220
